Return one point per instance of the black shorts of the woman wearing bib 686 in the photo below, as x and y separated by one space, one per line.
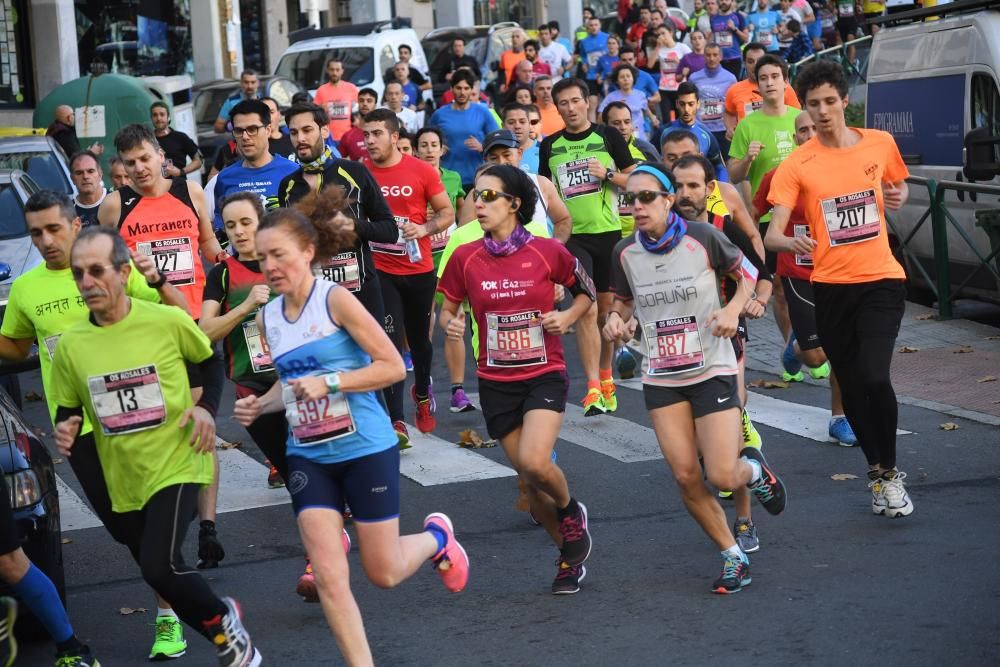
505 403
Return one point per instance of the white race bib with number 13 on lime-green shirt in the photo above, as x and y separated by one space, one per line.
128 401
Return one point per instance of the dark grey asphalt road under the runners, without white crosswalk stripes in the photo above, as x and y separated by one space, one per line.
832 584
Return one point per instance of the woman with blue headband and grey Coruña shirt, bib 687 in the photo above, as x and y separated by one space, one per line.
669 275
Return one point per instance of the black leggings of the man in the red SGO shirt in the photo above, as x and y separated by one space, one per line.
408 300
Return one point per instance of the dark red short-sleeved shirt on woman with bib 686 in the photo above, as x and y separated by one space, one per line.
508 295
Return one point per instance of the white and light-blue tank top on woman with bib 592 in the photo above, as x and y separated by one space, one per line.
337 427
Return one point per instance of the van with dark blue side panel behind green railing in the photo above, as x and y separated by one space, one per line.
931 83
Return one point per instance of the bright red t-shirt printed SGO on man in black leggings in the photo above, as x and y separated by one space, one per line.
408 187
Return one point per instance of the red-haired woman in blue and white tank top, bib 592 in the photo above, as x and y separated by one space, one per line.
332 356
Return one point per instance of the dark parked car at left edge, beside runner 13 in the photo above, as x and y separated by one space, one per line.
34 497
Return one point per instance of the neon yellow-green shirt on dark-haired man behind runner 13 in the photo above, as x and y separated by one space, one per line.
43 304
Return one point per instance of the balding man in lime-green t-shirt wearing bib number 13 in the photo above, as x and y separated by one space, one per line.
127 375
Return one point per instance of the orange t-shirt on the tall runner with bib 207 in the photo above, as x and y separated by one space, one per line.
841 193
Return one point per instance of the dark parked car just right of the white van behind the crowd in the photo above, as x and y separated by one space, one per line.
485 43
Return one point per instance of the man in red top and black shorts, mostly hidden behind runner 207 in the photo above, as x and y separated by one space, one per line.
795 272
